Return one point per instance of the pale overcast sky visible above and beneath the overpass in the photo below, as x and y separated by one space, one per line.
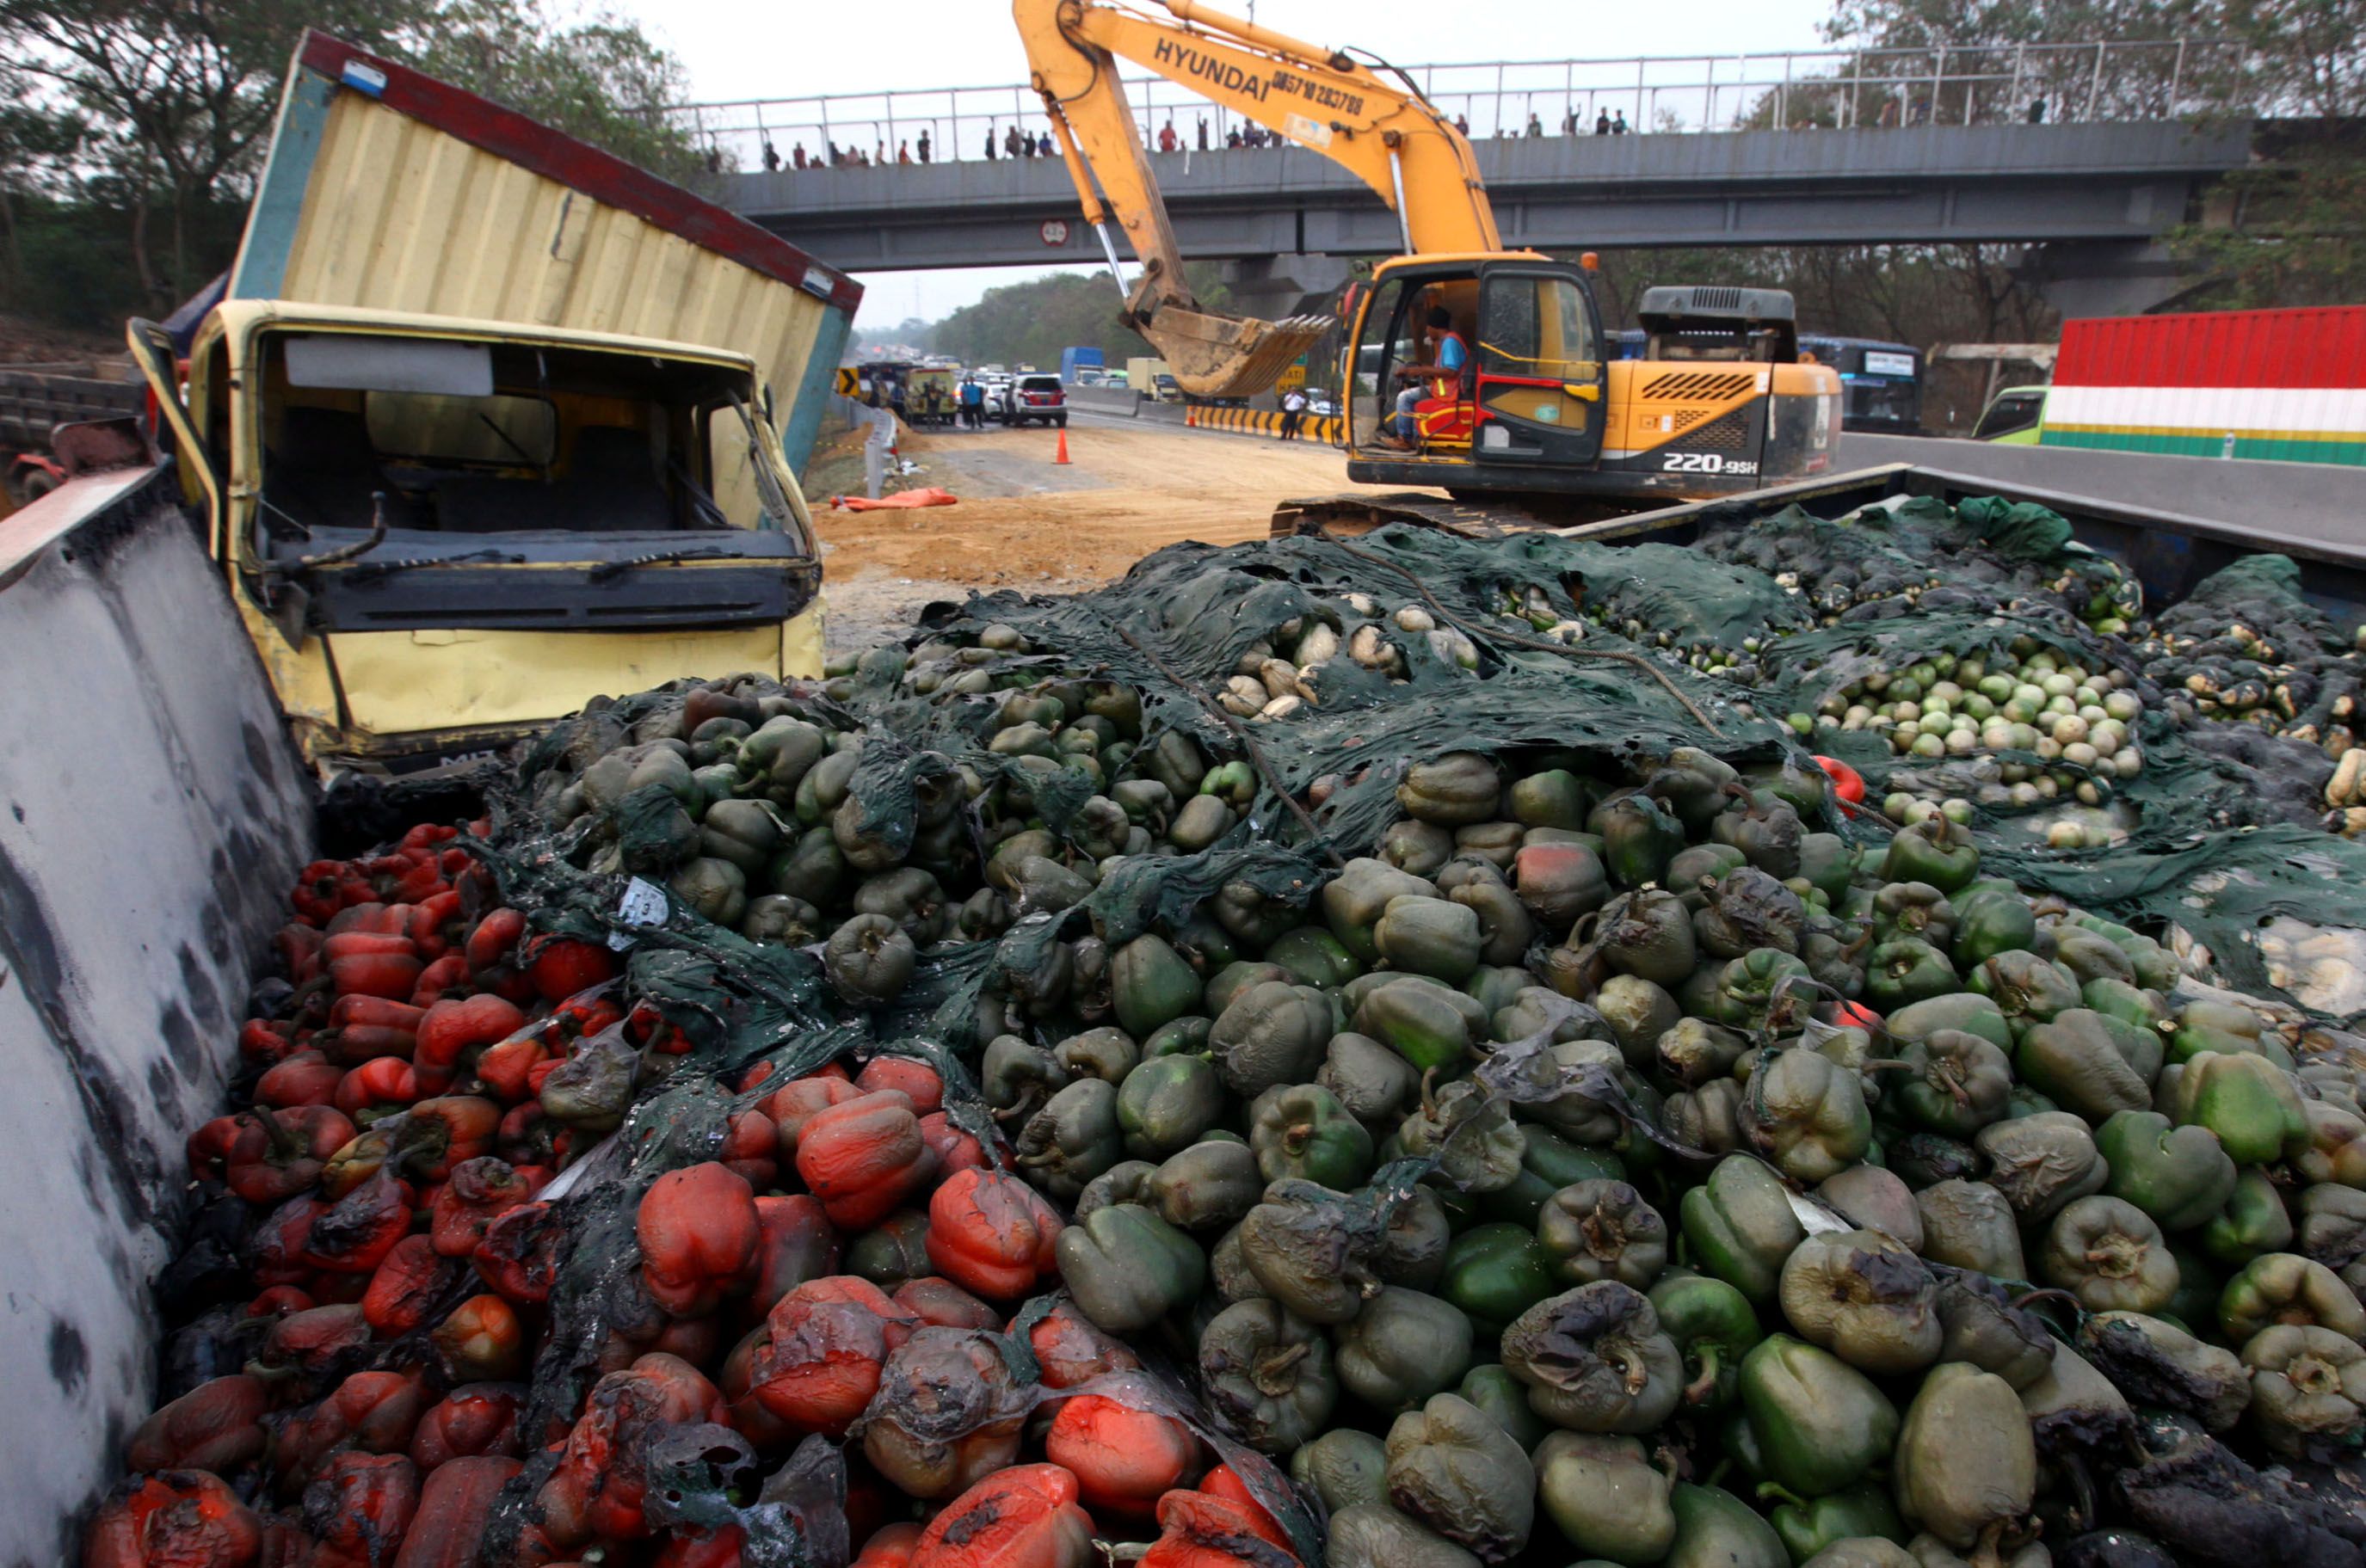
794 48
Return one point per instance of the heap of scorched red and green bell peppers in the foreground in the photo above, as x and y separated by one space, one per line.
1612 1160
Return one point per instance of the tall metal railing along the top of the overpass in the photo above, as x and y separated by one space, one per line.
1672 93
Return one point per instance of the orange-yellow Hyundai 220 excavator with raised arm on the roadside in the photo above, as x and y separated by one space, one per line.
1470 368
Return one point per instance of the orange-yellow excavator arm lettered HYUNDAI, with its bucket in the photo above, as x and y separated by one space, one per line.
1385 134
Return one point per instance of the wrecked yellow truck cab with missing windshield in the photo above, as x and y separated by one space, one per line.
448 533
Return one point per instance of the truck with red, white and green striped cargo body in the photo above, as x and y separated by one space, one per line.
2258 384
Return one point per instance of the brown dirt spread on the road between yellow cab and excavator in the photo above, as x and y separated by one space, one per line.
1028 524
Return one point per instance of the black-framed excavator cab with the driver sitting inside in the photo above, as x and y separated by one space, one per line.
1525 410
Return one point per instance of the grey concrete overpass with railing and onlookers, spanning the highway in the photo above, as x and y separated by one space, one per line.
1906 148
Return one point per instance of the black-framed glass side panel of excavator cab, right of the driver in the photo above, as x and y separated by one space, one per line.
1541 375
